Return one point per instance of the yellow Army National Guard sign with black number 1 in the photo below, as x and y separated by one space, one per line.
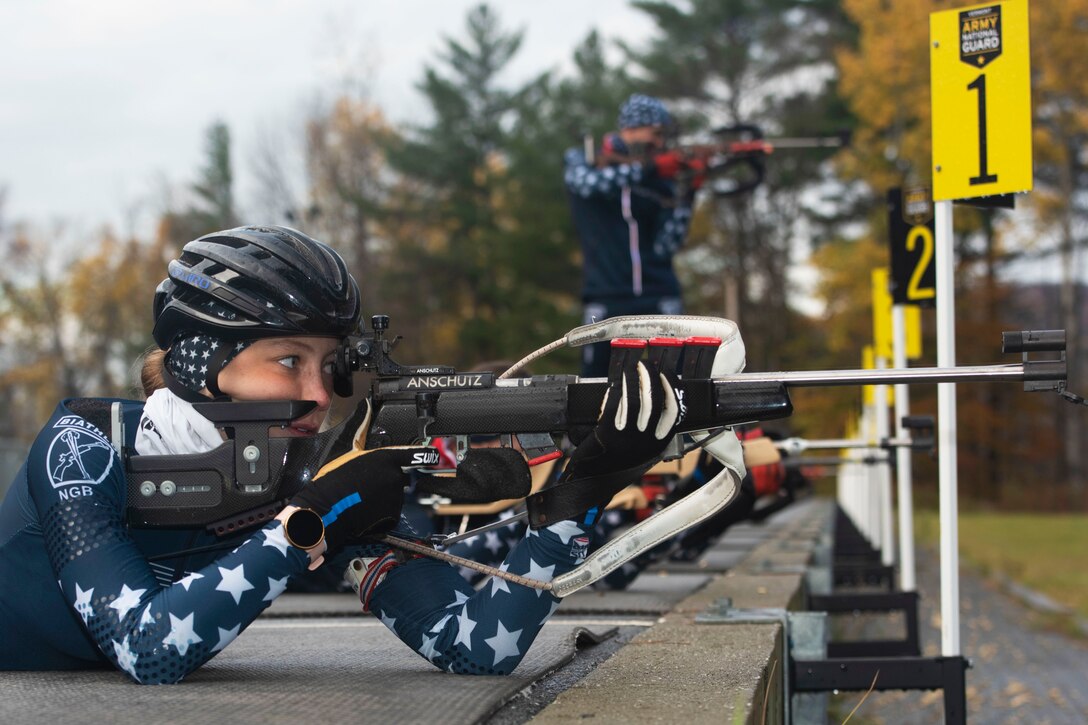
980 79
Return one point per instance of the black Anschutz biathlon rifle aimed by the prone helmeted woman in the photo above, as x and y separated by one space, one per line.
250 478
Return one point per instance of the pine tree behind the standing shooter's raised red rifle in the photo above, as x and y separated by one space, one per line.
768 65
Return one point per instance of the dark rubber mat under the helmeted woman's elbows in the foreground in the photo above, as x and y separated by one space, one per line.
291 671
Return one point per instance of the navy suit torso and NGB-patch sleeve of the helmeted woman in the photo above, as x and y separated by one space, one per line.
79 591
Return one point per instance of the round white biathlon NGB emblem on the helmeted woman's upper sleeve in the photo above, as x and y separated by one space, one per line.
80 456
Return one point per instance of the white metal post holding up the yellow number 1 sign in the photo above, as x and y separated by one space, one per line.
947 433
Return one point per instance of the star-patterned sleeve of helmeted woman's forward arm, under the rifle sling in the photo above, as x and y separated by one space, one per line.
487 632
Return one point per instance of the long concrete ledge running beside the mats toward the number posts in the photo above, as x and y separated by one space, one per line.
682 670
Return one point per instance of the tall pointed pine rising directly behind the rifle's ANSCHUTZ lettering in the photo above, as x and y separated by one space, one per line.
458 169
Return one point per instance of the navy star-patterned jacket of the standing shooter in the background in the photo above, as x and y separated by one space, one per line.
630 226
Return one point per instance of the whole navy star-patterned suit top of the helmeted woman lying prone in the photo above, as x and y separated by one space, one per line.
79 589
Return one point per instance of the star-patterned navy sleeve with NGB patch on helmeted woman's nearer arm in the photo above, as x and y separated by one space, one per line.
156 634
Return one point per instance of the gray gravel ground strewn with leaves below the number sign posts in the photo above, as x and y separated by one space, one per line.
1022 673
